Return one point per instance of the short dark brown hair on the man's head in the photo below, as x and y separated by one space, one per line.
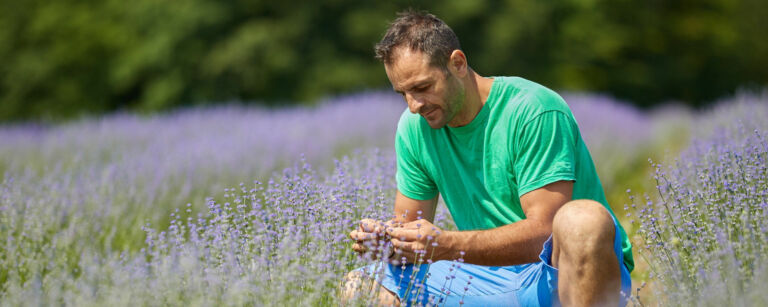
419 31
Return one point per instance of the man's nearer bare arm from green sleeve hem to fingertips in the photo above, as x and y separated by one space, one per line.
512 244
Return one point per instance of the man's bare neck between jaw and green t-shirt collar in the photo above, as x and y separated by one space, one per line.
477 89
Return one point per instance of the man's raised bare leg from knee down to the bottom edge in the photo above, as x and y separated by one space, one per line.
583 252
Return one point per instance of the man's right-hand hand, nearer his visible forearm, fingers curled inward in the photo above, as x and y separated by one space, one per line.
419 241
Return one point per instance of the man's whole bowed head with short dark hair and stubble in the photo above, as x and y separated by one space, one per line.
424 63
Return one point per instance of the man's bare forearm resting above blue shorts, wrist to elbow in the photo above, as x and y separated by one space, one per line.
512 244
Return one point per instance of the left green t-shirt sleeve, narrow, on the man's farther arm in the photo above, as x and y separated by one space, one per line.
412 179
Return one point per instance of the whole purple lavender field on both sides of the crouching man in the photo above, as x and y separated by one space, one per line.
239 205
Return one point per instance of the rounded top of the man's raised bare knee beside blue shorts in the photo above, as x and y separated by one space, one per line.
583 226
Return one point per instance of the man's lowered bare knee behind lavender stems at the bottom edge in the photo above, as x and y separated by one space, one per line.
354 289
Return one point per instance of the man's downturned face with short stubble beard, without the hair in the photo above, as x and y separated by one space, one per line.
436 94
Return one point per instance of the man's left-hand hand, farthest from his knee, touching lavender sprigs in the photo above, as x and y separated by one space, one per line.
371 237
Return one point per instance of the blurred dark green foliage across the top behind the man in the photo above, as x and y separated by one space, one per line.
63 58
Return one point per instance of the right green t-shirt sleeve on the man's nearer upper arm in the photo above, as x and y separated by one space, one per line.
546 151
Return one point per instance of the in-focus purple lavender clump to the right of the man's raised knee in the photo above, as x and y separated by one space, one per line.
704 235
